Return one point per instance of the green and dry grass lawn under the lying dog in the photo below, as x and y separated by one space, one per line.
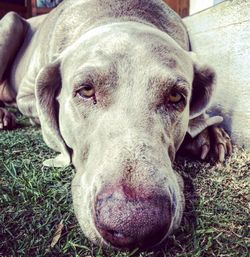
35 199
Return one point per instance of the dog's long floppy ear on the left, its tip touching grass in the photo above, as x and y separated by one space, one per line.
48 86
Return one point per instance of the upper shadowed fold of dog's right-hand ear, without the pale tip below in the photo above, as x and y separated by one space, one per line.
202 89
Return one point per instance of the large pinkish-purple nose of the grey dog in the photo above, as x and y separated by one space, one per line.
128 219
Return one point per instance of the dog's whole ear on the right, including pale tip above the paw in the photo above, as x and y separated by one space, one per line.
202 90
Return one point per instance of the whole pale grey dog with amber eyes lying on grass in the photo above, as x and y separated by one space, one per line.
116 89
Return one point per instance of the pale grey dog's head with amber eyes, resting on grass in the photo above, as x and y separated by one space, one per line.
118 103
